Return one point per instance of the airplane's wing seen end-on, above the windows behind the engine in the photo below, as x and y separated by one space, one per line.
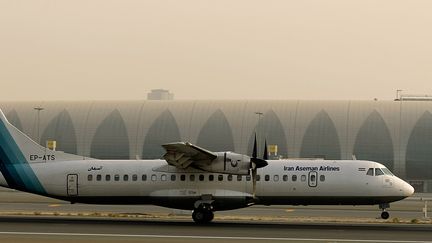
182 155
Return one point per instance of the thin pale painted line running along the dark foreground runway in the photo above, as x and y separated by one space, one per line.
205 237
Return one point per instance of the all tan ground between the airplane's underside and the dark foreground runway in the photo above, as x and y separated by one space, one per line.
18 203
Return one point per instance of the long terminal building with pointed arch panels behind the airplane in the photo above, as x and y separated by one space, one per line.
397 134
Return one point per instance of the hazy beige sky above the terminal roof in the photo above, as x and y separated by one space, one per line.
218 49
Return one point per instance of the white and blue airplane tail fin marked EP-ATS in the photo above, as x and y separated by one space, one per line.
17 151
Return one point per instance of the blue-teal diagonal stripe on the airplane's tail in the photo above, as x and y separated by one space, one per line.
14 167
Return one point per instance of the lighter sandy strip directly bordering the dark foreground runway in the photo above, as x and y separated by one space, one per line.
286 213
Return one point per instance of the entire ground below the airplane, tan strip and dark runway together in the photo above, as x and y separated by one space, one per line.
29 218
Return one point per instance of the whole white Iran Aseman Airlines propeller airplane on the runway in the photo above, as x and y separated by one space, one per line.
193 178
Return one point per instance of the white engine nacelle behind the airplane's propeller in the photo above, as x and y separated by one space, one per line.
227 163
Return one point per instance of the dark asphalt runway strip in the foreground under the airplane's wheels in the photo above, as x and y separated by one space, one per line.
49 229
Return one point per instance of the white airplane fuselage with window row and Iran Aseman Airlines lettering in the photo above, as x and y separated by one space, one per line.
285 182
